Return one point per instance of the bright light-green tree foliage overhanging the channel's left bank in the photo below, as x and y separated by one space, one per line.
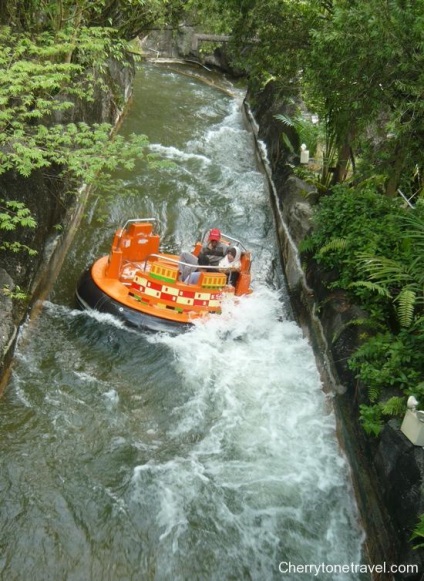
52 59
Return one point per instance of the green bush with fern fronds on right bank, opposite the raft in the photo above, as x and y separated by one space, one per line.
374 246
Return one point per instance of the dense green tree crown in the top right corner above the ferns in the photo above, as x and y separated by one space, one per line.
373 102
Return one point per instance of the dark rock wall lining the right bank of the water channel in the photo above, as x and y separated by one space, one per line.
388 473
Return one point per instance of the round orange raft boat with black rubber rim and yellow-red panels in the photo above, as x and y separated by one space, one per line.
141 286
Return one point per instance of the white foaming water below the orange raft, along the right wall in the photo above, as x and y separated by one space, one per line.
260 447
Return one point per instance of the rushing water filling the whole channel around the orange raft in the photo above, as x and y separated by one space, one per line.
205 456
